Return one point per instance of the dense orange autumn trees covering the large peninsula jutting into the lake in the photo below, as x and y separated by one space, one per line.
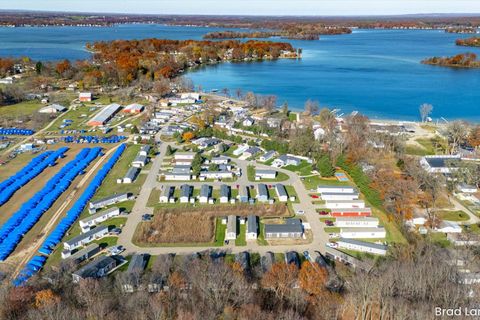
127 60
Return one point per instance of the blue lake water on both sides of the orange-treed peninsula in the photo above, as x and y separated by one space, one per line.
376 72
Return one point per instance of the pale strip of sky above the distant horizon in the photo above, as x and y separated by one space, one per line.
250 7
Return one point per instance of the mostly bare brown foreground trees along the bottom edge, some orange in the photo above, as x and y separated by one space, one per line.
409 285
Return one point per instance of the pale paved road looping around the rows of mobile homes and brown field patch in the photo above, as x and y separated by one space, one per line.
140 208
